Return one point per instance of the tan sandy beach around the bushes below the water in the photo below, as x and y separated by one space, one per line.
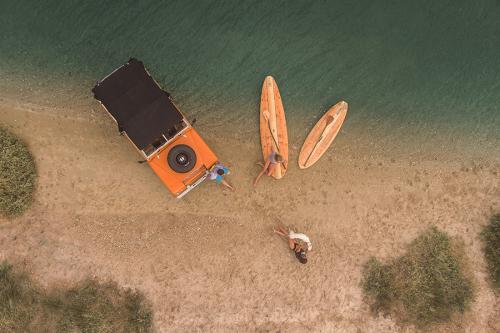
209 262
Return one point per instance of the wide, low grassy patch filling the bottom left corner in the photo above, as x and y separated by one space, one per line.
89 307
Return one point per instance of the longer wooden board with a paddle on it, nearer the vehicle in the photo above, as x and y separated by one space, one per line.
273 132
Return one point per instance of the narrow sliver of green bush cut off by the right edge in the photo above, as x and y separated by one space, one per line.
491 240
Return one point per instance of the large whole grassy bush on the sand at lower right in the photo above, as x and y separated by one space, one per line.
424 286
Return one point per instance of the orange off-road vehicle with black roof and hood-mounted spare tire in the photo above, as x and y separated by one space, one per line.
146 115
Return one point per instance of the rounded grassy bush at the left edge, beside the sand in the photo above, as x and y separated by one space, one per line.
17 175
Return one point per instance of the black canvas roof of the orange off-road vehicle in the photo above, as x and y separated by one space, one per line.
142 109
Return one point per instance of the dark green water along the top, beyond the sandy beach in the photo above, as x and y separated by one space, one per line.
422 67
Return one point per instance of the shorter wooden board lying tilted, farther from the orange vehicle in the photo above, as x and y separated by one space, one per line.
322 135
